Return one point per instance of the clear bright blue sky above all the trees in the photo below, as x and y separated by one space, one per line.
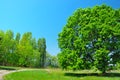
44 18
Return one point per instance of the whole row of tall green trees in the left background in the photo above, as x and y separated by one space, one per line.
23 51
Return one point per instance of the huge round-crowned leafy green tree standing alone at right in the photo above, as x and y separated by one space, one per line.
91 37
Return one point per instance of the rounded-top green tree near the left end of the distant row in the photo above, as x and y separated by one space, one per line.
8 46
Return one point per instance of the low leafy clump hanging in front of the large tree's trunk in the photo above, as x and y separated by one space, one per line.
101 59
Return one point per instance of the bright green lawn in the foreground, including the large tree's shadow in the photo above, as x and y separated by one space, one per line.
56 74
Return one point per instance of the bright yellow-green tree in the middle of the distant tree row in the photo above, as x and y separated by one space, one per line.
25 50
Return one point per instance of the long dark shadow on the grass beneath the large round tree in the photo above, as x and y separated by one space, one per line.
92 74
